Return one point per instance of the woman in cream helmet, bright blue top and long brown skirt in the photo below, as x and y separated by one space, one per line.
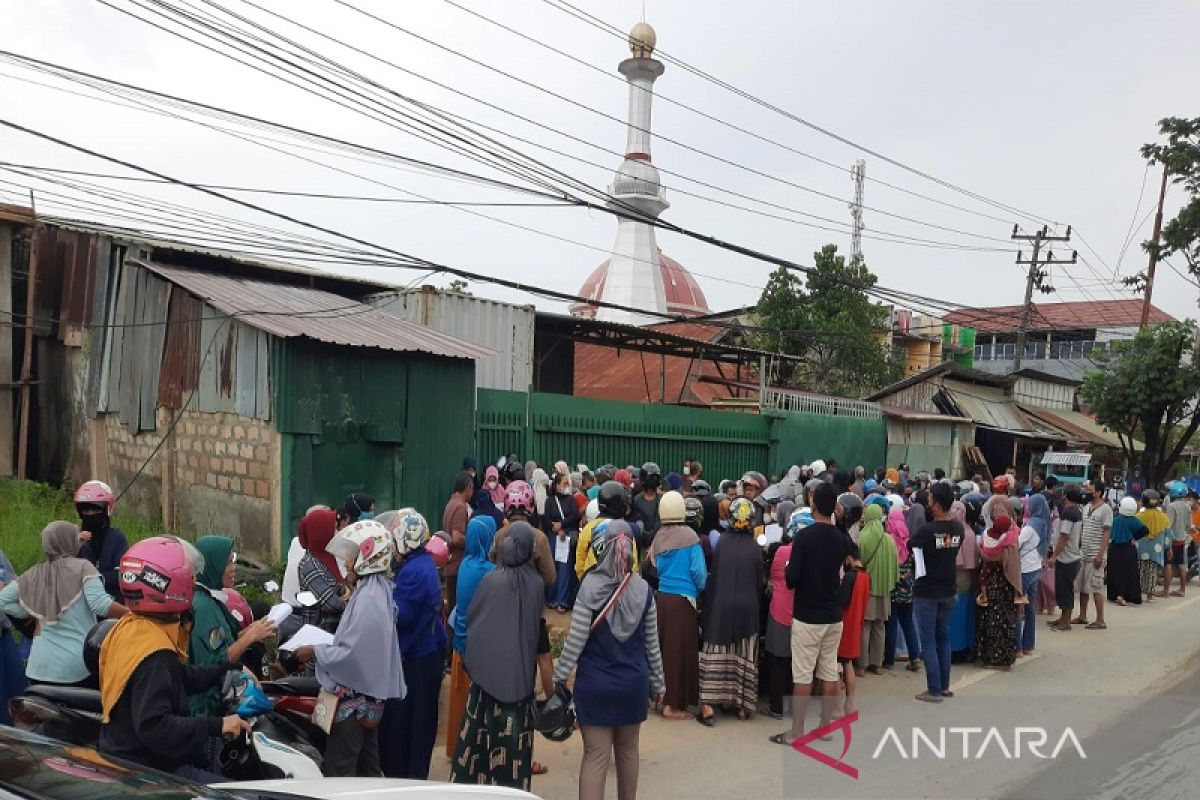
680 560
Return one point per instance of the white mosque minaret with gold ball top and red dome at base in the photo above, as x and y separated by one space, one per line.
638 275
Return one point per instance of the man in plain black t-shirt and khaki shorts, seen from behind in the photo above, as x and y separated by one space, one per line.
814 573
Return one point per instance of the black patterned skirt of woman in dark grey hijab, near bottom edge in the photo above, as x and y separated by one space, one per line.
496 743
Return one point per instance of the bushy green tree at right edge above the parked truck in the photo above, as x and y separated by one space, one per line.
1149 389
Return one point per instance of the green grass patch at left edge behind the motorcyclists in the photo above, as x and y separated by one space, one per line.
28 508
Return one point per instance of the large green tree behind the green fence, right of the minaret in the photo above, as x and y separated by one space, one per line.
831 324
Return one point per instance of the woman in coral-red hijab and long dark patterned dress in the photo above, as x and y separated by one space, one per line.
1000 579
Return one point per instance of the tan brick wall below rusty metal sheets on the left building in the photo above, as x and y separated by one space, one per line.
215 476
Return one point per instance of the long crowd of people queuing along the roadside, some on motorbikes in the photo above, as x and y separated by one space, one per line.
685 599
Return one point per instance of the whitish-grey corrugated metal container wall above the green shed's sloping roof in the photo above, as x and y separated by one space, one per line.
501 327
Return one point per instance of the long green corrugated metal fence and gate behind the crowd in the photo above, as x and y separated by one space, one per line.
551 428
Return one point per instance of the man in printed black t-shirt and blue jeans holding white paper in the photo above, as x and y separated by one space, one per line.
935 548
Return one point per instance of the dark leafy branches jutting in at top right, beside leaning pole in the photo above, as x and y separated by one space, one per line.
1181 159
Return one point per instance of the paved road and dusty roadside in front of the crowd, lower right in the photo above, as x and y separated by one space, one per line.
1111 688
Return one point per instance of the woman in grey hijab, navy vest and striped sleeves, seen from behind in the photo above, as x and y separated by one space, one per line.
615 645
